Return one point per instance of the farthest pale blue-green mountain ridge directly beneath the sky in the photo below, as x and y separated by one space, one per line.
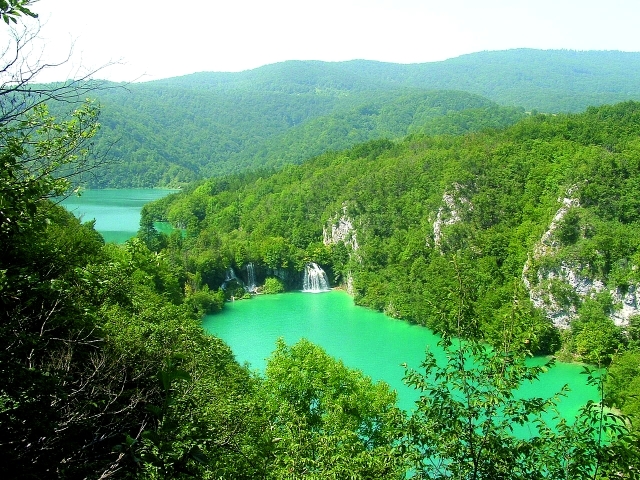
518 77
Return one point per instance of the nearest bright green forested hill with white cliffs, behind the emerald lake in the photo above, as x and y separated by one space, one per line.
544 214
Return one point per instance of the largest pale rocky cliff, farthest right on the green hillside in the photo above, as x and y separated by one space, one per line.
559 290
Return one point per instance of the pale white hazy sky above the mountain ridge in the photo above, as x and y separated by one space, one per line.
158 39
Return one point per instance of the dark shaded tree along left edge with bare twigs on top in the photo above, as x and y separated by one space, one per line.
60 390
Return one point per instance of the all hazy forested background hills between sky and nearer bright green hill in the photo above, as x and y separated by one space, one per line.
173 131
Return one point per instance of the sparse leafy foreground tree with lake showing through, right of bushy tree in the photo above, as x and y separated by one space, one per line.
463 424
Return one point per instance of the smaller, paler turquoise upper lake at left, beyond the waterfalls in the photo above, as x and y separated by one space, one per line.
116 211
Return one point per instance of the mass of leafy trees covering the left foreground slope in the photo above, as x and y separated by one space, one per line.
86 327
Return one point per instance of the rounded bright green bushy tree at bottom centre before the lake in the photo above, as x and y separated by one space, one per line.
329 421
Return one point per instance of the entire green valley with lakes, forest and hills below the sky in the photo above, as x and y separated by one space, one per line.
482 211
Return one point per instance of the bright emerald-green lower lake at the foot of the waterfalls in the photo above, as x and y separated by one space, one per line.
363 339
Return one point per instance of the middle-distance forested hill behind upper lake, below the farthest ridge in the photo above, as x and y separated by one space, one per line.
155 136
